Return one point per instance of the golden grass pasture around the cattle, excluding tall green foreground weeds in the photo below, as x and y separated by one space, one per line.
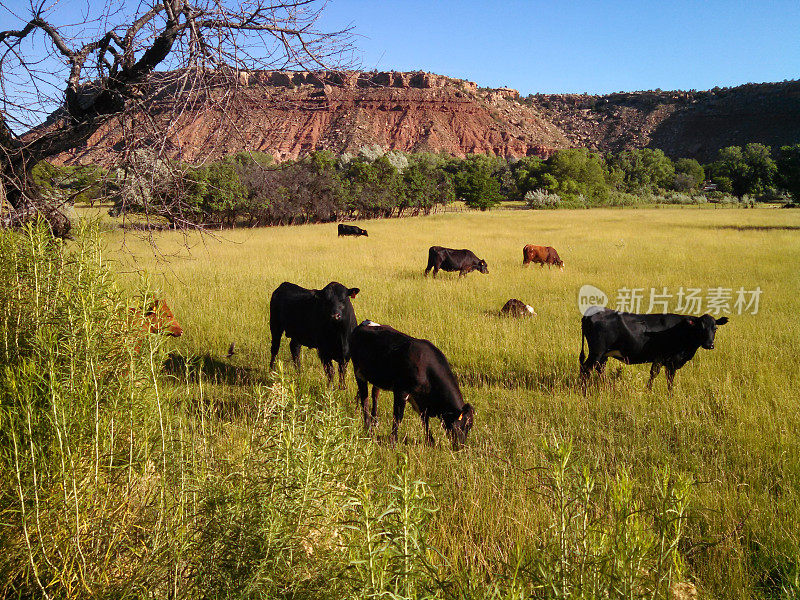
732 421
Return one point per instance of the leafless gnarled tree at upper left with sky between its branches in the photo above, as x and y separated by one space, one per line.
110 69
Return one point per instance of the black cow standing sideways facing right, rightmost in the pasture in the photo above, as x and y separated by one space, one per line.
667 340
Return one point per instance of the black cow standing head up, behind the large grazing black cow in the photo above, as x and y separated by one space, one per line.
321 319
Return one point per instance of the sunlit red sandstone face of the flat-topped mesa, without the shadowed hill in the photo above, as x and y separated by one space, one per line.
288 115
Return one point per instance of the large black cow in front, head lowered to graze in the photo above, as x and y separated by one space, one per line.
414 370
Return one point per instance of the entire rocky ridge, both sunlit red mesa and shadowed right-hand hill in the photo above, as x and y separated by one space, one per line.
289 114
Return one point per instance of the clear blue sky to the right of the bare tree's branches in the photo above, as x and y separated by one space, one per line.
596 47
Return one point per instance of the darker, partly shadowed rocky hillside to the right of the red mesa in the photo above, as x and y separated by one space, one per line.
691 124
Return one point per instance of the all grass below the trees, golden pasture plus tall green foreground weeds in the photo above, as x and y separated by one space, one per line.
240 482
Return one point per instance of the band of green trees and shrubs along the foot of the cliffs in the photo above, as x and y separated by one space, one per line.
250 189
